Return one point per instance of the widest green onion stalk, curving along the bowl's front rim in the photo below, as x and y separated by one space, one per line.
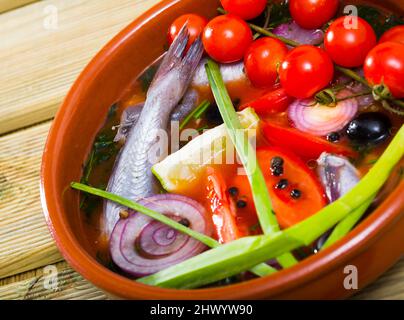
235 257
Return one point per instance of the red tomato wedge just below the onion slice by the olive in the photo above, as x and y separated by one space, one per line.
305 145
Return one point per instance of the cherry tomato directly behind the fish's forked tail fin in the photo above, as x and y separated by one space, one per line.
196 25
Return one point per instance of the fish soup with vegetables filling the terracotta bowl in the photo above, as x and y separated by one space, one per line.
246 142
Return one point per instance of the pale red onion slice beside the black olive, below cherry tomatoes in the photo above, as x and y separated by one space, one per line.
321 120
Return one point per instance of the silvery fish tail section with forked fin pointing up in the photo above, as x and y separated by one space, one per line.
132 177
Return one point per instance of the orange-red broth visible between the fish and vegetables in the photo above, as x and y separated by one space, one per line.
240 92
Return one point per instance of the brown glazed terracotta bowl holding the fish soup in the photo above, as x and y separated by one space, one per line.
375 245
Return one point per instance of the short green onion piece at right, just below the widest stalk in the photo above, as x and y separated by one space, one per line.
347 224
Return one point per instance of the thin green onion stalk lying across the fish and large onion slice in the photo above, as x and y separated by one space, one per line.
260 270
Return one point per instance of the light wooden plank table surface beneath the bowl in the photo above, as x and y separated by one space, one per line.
43 47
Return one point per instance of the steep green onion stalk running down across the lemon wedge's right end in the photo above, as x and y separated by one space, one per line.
247 155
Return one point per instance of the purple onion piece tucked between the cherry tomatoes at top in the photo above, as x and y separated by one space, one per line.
292 31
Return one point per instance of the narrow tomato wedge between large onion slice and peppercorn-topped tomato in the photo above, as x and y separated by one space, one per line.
223 208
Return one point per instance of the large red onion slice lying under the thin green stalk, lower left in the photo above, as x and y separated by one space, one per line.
141 246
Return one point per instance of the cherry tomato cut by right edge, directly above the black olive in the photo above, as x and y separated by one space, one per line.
385 64
